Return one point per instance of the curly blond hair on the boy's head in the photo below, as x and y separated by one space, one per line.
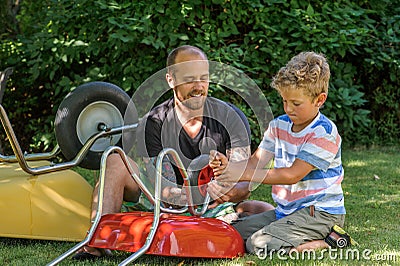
308 71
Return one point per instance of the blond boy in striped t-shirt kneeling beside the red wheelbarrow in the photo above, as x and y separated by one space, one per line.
307 174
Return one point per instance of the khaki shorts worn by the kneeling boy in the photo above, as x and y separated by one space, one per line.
263 233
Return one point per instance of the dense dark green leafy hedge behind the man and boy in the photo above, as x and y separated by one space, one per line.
63 44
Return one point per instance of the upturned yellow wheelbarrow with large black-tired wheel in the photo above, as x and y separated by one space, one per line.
44 200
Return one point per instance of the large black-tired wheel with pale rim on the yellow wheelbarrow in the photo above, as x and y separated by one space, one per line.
79 115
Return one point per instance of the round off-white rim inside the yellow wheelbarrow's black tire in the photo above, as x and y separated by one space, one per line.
100 112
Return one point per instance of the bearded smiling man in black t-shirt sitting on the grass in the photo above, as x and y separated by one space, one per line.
192 124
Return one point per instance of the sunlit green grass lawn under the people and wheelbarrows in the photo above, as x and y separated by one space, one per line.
372 200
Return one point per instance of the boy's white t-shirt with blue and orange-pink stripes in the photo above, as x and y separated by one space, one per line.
319 144
